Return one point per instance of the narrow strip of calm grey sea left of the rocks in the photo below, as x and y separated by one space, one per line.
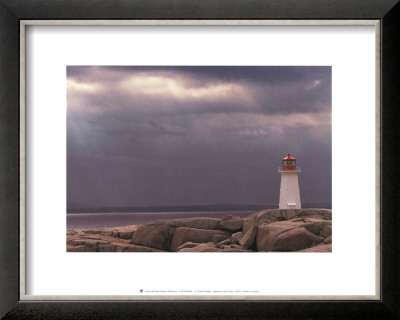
118 219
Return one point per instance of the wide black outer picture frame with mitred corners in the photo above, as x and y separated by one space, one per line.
12 11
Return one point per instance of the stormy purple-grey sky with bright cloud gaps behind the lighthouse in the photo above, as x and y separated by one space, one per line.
144 136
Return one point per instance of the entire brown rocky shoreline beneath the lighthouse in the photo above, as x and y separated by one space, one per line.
307 230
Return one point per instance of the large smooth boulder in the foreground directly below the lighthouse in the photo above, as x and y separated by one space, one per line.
285 236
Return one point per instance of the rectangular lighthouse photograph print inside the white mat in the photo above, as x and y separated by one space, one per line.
199 159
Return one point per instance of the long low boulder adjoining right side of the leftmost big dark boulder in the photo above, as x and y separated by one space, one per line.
183 234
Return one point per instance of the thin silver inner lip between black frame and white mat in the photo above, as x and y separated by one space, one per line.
26 23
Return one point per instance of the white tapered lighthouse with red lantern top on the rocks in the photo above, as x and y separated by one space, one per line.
290 192
